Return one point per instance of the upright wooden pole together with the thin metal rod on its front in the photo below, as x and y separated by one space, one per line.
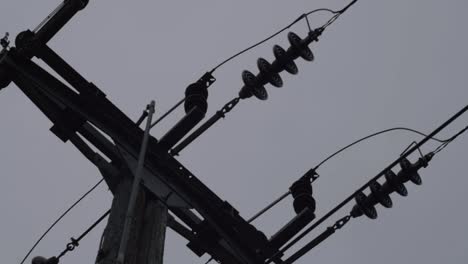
136 228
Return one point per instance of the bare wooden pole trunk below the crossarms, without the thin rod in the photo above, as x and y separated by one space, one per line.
146 243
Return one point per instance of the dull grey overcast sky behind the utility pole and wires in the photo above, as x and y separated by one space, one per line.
382 64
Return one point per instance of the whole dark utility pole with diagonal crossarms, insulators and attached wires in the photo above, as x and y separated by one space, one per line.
151 188
